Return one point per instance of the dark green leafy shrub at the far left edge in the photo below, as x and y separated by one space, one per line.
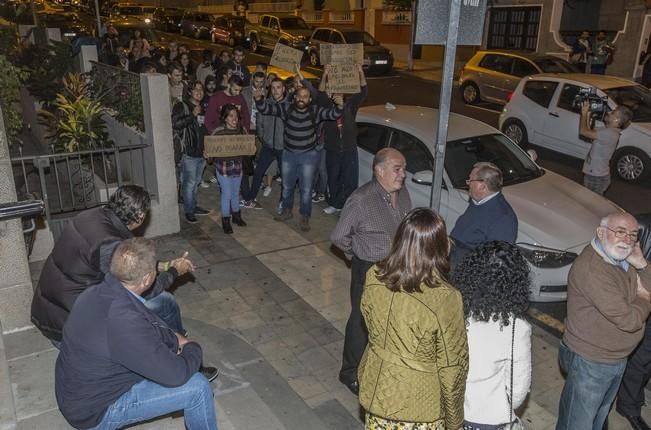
10 83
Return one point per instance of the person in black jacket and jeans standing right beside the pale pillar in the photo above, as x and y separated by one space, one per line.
188 132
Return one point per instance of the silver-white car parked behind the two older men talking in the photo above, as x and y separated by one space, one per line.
557 217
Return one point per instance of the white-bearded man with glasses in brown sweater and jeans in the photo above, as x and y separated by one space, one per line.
607 308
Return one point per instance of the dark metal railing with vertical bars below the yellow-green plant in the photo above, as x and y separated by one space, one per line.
69 182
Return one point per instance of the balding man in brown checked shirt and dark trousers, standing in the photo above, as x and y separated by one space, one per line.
365 230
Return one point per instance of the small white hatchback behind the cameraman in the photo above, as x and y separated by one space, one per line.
541 111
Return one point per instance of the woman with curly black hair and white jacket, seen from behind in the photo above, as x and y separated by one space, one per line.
494 283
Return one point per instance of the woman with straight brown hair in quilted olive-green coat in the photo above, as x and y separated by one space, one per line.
413 372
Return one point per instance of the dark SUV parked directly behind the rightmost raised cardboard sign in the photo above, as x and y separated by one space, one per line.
377 58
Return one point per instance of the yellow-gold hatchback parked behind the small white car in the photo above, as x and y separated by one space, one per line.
492 75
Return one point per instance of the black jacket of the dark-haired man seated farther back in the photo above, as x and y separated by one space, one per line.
78 261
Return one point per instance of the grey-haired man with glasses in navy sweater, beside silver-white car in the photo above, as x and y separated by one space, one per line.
488 216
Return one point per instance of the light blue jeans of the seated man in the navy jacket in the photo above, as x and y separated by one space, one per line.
147 400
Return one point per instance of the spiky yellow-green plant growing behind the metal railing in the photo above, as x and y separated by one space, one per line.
75 122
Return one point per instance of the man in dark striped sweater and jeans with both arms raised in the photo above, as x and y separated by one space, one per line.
300 158
